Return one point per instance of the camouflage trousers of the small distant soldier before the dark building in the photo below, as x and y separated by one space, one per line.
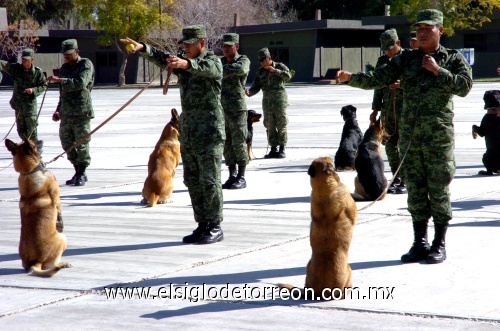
275 121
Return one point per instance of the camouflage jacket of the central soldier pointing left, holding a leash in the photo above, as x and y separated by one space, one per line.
202 118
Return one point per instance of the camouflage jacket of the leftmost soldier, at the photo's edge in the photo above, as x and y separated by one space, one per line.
23 79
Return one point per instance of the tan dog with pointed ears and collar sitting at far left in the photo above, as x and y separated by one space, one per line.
42 242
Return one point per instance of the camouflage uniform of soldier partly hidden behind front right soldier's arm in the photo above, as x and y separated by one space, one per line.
383 100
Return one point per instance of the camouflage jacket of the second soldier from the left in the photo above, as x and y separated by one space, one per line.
77 82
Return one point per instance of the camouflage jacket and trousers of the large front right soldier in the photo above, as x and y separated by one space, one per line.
426 121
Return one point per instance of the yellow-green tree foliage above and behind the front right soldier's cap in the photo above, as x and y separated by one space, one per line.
458 14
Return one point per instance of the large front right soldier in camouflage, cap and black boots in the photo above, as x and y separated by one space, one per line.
430 76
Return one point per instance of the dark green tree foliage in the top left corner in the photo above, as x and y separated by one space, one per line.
40 11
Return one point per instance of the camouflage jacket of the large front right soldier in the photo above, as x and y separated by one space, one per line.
427 115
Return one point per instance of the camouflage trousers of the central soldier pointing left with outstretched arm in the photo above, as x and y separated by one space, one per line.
202 177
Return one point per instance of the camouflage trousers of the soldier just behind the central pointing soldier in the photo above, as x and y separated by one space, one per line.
235 151
